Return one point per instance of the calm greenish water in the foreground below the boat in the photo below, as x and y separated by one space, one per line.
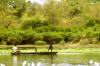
67 59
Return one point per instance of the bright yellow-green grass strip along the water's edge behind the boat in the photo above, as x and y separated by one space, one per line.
70 50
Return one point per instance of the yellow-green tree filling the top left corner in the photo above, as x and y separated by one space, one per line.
10 12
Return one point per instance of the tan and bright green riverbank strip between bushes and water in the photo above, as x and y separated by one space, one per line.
73 48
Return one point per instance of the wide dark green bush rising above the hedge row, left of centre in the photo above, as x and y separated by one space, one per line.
33 23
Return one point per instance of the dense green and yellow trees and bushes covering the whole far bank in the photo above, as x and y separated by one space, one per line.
76 21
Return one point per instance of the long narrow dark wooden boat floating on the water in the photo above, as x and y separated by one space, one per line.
43 53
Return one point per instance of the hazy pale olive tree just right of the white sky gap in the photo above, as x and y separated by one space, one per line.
51 12
